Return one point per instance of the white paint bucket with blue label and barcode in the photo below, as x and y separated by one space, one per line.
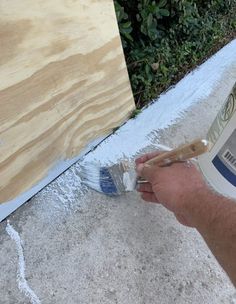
219 164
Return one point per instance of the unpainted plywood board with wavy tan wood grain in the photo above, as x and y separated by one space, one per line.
63 82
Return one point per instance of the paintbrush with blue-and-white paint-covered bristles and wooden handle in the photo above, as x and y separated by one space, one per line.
122 177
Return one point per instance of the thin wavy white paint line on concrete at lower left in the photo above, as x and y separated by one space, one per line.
22 282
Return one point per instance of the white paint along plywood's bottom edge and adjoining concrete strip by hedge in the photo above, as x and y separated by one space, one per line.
141 132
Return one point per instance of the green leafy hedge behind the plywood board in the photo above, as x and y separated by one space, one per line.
164 39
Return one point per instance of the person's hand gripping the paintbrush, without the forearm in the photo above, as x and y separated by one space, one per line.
176 187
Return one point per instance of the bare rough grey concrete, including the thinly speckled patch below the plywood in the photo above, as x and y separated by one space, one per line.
83 247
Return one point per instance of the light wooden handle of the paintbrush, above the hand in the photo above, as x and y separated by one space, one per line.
183 153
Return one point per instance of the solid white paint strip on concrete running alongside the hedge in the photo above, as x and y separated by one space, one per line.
194 88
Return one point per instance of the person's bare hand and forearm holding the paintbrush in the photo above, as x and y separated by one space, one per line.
182 190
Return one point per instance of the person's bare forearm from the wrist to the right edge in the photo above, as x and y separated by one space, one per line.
215 218
